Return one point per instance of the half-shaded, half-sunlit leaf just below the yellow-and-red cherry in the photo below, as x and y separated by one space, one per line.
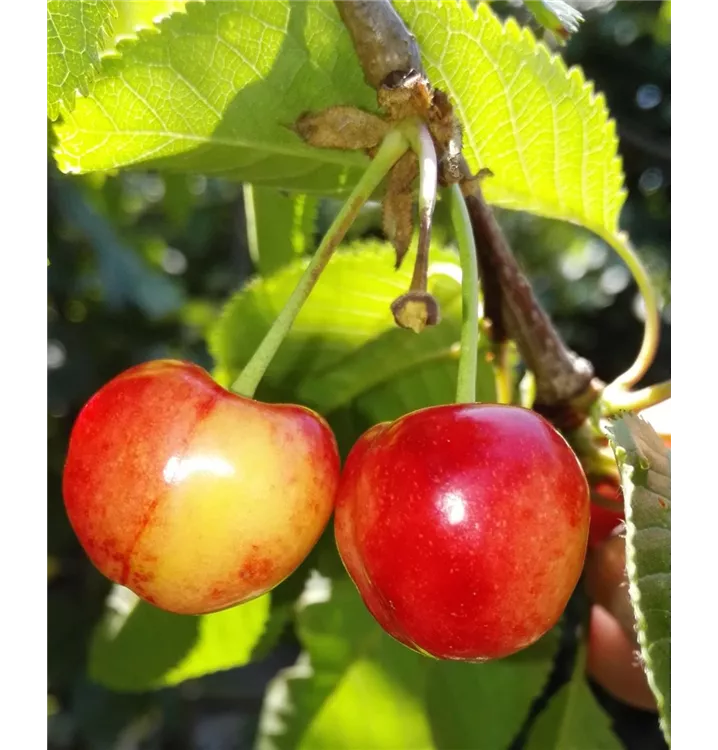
138 647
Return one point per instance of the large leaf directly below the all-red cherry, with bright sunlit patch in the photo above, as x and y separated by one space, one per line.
353 670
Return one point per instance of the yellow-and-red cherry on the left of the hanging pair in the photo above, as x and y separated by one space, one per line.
193 497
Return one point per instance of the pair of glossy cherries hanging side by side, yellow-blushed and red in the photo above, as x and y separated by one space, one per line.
464 527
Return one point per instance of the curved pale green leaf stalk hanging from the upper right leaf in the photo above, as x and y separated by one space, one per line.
652 326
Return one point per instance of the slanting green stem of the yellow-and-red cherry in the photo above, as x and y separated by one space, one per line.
394 146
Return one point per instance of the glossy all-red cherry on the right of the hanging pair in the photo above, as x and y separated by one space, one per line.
464 528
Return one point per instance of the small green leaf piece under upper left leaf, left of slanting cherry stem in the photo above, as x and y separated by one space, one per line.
280 227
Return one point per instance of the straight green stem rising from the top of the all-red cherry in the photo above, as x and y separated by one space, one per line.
466 381
